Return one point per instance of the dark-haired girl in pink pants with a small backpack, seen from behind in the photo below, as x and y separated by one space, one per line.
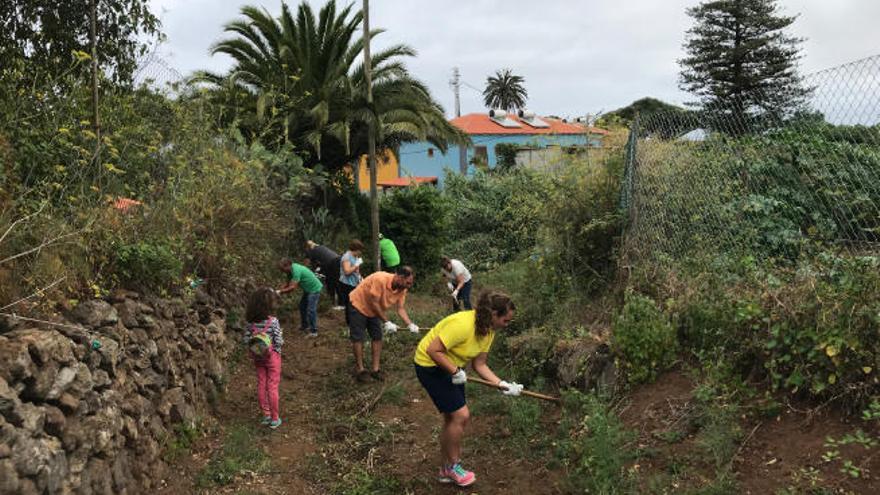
262 325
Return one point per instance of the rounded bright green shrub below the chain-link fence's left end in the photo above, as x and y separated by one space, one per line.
643 338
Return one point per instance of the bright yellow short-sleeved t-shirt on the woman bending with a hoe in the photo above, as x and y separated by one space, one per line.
458 334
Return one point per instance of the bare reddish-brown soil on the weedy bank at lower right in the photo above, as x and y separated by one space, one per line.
773 453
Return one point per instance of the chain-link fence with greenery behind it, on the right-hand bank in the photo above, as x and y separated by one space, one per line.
757 180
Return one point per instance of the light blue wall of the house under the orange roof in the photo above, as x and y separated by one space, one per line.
416 158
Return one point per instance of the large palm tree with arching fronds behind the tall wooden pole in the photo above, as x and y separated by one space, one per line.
306 85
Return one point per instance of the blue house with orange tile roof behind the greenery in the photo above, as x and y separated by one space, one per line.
487 130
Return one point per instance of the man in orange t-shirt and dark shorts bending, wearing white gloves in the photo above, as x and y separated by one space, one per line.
366 315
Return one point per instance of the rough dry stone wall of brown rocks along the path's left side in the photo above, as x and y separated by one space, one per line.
86 408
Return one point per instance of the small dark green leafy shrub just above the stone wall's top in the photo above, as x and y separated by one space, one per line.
148 264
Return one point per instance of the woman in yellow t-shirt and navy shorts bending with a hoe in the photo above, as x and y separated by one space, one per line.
440 359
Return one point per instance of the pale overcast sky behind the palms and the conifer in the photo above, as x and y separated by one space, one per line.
577 56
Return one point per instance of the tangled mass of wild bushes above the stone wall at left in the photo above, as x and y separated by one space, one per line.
208 202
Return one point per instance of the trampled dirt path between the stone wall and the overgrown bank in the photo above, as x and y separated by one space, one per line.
340 436
